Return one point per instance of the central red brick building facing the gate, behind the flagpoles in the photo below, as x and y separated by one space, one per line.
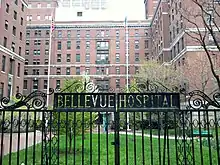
94 48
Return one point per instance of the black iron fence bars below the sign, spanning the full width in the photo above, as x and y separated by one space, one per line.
150 136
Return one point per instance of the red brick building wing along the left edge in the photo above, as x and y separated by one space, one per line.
12 46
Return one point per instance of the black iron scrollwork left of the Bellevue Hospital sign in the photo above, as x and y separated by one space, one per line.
35 100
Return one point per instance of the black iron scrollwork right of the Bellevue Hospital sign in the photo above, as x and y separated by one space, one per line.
199 100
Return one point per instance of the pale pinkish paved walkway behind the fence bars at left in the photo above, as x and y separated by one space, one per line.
14 142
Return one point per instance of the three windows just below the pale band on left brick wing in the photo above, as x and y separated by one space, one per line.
11 66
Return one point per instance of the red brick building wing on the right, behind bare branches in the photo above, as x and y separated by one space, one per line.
172 45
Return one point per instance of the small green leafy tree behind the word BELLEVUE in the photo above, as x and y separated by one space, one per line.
74 123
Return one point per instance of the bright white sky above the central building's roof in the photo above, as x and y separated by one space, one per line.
116 11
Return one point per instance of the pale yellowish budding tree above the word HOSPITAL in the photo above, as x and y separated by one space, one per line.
164 76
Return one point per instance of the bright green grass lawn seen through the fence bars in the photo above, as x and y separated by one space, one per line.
104 144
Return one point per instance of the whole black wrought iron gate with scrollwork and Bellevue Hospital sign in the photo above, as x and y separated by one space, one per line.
109 134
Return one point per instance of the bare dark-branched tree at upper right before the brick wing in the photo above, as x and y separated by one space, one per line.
202 21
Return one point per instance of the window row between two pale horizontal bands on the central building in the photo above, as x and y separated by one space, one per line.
99 71
